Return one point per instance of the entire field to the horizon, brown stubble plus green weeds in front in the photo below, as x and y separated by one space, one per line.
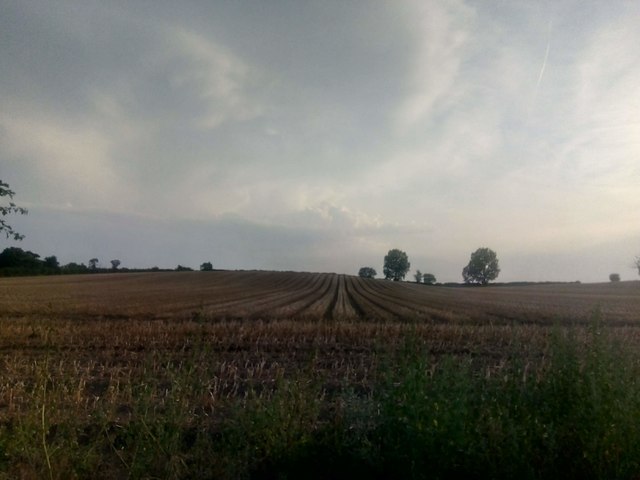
270 374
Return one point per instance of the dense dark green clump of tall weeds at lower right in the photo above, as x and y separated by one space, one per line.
573 414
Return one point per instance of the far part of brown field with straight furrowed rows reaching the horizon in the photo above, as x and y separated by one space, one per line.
309 296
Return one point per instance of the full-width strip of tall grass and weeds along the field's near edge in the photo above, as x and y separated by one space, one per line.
571 411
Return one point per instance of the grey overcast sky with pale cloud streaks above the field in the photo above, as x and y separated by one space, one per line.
317 135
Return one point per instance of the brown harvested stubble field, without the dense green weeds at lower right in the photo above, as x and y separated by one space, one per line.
120 372
